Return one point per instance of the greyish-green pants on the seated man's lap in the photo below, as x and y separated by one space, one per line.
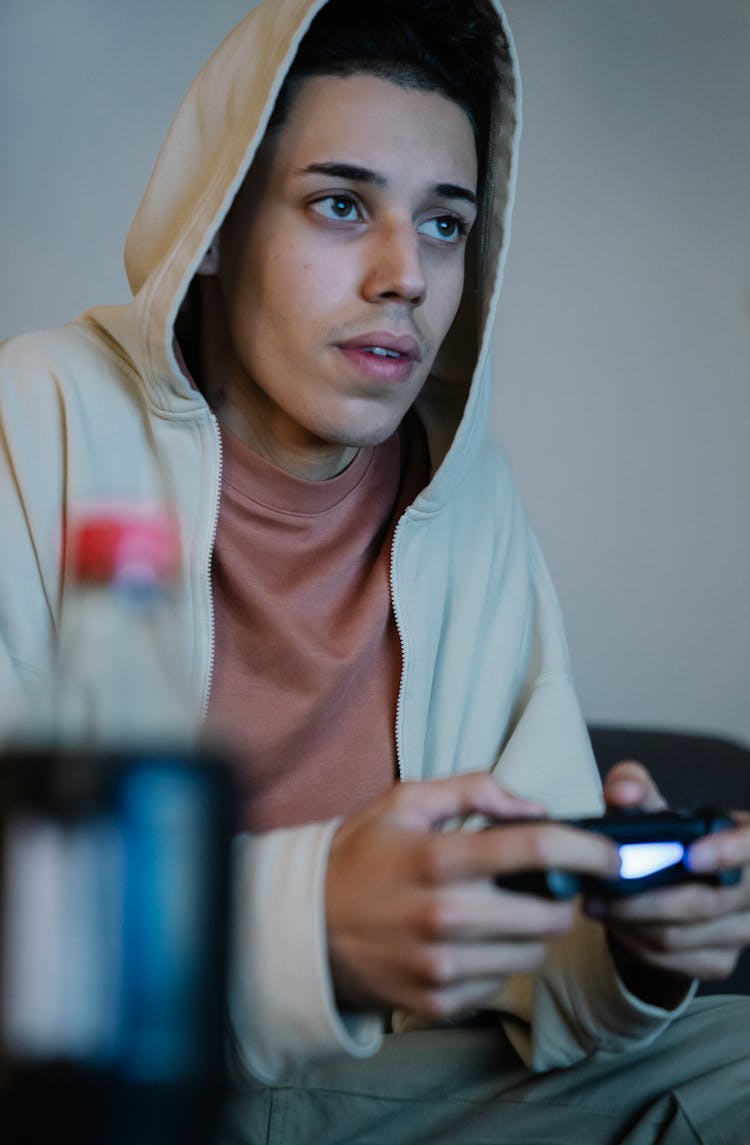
467 1087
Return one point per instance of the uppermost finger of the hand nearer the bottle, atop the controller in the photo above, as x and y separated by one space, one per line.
427 804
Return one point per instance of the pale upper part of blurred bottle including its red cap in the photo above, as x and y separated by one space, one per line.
122 682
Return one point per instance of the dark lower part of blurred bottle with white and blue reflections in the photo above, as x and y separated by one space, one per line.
115 875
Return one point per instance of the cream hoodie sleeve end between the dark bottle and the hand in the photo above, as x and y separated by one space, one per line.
281 998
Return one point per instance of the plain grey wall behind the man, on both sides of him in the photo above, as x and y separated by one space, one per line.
623 349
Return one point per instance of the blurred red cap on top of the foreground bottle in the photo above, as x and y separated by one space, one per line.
137 547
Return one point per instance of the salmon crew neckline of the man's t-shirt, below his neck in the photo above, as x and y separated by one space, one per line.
265 484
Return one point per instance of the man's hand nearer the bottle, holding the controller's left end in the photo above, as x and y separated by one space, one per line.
415 920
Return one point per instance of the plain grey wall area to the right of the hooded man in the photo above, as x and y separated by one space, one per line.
625 346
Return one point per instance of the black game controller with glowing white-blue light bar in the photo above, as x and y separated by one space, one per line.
653 849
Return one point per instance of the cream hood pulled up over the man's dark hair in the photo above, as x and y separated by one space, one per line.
203 162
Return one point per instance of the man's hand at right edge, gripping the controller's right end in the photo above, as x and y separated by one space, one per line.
662 939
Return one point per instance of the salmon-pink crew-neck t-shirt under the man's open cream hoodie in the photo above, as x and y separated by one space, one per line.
307 657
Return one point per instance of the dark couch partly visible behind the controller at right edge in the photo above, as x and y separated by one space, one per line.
691 770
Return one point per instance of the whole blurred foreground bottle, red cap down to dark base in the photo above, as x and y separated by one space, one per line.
116 867
